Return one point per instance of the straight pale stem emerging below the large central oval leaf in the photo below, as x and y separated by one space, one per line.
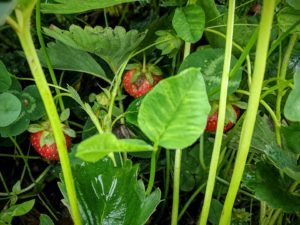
176 187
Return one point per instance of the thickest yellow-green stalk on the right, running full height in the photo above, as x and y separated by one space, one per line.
249 122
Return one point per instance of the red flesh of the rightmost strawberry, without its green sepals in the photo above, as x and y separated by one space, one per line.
211 125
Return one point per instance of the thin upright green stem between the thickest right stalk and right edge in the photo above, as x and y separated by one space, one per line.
282 76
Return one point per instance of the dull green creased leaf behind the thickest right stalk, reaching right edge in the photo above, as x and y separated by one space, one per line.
264 142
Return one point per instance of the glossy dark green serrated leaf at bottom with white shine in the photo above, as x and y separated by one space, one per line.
111 195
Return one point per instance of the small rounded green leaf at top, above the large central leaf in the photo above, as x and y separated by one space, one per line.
189 22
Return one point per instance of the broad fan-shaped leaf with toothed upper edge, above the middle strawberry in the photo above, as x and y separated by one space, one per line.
112 45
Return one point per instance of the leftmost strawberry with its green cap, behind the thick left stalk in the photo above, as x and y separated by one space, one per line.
42 139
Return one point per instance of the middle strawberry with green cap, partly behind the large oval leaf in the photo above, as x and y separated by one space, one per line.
140 79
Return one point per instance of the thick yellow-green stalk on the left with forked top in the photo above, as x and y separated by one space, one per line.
22 28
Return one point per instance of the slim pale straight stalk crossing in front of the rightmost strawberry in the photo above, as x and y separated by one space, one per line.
221 117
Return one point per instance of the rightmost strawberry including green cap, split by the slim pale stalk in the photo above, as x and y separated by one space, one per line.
232 114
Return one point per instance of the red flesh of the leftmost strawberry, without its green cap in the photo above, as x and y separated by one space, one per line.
47 150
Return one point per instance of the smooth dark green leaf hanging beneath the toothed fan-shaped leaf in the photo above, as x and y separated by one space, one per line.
64 57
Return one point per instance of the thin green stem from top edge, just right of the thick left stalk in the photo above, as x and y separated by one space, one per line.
47 59
